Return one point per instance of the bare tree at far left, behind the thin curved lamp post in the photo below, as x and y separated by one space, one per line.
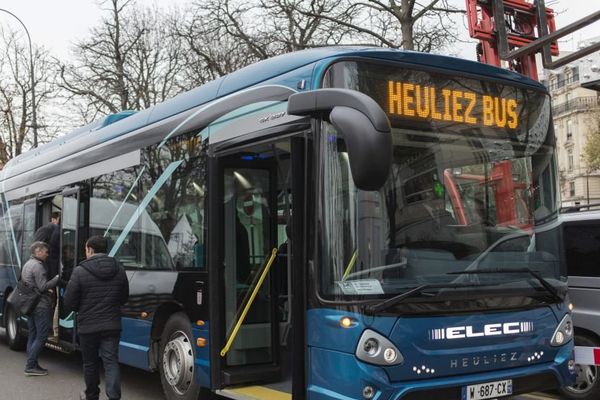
15 95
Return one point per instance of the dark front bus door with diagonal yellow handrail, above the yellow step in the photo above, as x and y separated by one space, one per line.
249 271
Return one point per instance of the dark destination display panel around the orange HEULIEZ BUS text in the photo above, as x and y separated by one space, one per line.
422 101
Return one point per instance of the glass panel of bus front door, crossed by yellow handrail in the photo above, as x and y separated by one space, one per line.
247 228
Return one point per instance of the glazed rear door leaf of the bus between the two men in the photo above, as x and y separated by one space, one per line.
72 240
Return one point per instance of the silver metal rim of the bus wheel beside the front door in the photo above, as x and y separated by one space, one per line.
178 362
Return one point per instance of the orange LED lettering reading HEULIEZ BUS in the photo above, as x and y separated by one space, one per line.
430 103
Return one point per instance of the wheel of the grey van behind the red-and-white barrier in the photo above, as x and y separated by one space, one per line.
587 385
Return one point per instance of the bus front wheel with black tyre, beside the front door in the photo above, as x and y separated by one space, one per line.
177 360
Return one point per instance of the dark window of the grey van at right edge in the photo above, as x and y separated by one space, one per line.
582 249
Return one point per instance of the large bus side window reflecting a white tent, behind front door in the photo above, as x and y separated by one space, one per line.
153 214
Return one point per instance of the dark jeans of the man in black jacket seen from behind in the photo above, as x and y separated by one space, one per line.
105 346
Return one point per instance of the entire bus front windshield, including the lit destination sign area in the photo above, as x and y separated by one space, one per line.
472 188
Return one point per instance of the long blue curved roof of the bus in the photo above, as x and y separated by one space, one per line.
287 69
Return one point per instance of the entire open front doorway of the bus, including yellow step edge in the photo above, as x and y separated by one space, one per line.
257 354
